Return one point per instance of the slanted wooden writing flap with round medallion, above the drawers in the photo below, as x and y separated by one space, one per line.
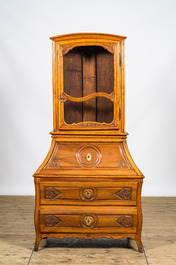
103 156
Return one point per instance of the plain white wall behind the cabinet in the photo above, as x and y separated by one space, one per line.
26 83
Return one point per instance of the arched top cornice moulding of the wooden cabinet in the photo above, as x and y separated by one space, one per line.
74 36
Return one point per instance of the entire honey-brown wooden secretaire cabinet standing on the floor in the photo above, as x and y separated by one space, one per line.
88 185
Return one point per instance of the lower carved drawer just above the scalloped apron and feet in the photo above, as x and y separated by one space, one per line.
94 220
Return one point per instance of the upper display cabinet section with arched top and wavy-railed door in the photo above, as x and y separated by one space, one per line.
88 83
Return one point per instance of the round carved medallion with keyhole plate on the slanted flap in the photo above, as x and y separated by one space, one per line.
88 156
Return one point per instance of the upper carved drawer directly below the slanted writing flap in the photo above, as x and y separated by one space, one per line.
102 193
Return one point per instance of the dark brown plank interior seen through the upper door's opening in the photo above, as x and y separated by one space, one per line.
88 70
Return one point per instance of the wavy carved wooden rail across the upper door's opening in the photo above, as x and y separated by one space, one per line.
64 97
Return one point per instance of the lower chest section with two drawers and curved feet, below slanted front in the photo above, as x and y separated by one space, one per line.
88 207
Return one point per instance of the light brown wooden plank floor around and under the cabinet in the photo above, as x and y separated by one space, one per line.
17 238
